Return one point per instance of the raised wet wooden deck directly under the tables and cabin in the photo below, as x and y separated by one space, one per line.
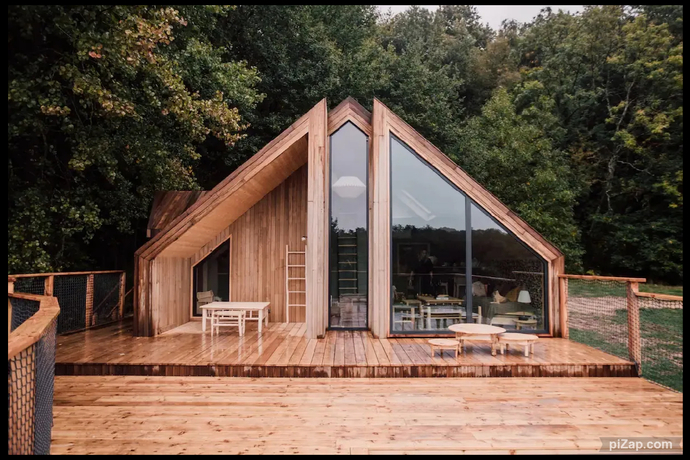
283 351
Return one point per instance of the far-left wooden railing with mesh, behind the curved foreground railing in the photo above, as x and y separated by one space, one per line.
85 299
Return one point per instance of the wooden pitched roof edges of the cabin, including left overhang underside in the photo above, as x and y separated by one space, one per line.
216 209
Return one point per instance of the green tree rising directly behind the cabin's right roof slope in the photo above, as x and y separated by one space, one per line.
513 156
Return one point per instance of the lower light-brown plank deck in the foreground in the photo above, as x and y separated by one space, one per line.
214 415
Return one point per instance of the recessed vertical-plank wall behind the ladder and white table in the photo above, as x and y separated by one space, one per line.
257 248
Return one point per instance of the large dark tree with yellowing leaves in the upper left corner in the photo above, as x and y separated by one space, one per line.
107 104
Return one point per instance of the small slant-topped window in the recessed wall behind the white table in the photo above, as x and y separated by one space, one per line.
212 278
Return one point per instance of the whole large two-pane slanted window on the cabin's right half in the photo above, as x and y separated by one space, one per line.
430 270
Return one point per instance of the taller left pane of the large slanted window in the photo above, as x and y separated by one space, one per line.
428 245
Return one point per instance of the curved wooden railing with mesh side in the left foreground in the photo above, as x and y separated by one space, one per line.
31 371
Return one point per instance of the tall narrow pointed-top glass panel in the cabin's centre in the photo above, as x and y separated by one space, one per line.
348 237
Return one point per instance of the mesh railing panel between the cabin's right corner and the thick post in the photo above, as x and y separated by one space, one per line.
598 315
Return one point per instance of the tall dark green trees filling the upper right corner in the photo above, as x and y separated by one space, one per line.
616 80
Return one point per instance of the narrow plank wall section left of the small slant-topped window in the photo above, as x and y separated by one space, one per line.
171 294
